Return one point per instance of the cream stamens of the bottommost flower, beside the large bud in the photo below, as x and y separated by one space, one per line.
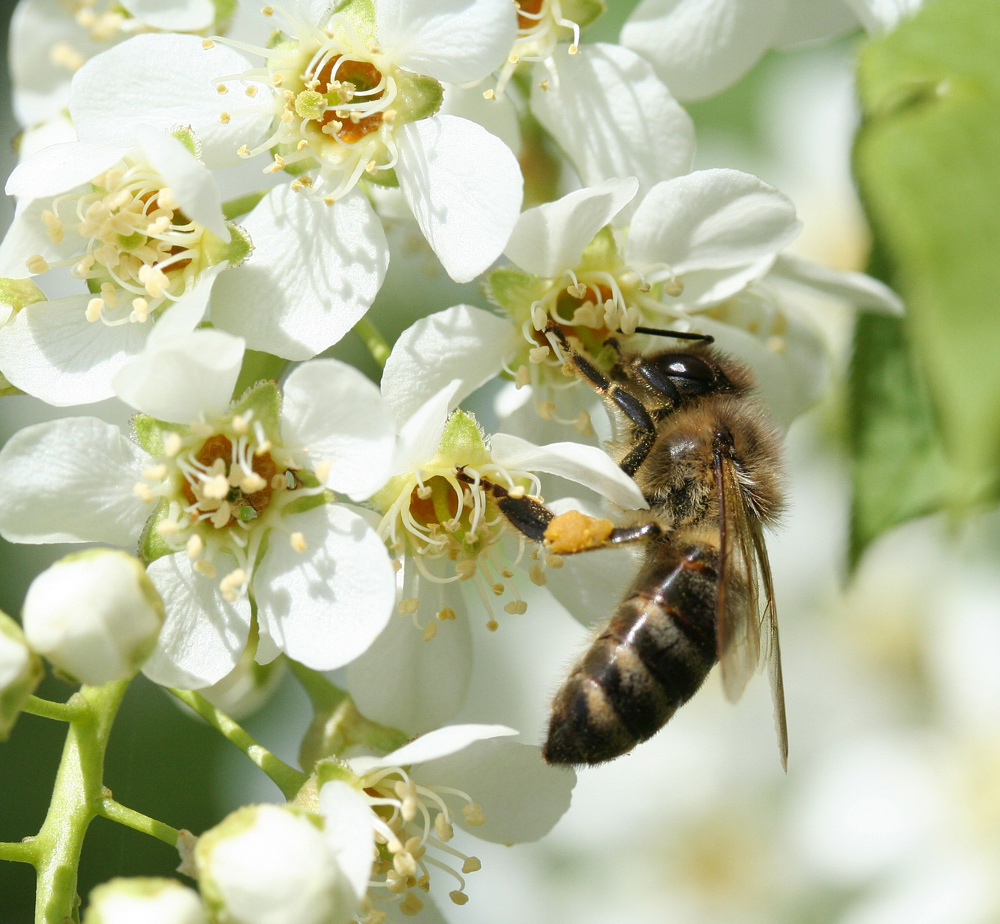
412 828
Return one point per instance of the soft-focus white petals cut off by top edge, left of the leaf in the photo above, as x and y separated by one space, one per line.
701 48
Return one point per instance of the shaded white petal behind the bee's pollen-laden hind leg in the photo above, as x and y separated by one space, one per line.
592 584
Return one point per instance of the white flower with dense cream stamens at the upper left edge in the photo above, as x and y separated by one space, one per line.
141 228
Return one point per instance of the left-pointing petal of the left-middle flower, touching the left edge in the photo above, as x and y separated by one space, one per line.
71 480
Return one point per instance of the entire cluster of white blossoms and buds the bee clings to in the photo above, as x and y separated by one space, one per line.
199 179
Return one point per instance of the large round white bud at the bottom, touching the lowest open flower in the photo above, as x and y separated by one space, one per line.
265 864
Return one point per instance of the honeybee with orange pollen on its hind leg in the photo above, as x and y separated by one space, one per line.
708 463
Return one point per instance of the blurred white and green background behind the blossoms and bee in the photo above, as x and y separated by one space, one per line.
890 810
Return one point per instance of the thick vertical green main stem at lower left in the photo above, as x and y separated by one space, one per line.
76 798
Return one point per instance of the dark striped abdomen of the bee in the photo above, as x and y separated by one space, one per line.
651 658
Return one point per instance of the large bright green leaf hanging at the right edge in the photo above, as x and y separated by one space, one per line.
926 161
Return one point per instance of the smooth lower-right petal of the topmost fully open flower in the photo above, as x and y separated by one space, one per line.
464 187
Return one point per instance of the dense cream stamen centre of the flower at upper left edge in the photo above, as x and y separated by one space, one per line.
139 250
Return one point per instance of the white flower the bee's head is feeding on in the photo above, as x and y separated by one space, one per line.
699 253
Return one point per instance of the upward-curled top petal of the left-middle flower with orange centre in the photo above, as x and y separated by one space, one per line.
184 378
